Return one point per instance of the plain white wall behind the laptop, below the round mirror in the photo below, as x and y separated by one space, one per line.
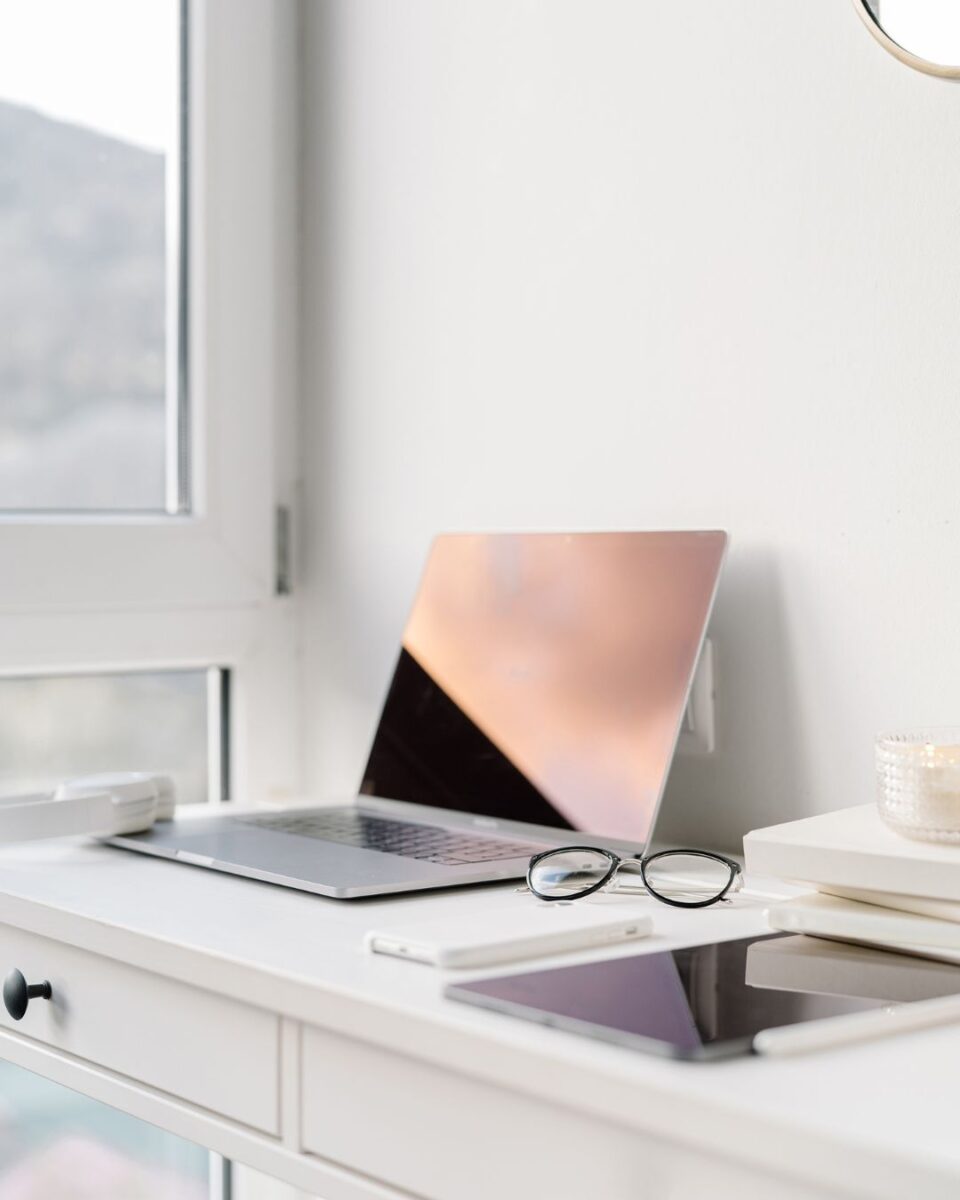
625 265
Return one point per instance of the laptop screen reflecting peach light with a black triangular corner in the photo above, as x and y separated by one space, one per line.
544 677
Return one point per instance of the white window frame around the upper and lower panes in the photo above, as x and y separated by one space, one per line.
111 592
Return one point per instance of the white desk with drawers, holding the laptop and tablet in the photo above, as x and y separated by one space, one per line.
249 1019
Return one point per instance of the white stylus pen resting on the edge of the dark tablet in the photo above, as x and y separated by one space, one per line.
879 1023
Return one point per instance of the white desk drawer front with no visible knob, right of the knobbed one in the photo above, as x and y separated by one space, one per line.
436 1133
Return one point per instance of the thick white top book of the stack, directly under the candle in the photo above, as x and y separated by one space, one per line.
854 849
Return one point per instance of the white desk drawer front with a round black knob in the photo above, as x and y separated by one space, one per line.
194 1045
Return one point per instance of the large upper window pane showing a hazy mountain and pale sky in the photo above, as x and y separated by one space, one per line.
89 254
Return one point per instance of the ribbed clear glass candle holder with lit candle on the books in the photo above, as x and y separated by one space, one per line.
919 783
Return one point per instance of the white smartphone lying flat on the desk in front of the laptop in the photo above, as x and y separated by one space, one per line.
508 933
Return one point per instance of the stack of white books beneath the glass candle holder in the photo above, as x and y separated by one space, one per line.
872 886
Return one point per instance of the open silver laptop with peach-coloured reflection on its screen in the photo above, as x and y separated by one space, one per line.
537 701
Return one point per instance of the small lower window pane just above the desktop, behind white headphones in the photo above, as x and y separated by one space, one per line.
53 728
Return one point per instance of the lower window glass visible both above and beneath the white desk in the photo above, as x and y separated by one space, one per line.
55 1143
